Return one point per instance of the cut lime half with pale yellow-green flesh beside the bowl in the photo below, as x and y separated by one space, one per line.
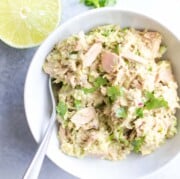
26 23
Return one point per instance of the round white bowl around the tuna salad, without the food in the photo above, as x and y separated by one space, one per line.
38 105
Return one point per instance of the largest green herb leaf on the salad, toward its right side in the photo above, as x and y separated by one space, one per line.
153 102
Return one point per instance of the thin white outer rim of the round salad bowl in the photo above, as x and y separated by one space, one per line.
63 25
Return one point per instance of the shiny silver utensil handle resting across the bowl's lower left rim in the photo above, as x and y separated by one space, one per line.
35 166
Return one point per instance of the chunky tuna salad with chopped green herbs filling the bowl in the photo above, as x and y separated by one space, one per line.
116 94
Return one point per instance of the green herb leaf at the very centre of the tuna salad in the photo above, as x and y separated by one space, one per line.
113 92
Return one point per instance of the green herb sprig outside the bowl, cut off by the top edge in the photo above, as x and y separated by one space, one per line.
98 3
